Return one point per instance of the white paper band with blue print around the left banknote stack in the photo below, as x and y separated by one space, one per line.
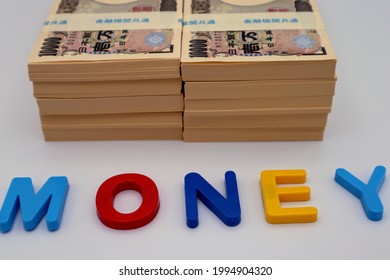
113 21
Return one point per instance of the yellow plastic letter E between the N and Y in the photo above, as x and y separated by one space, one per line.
274 195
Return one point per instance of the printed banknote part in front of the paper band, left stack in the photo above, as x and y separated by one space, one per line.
81 43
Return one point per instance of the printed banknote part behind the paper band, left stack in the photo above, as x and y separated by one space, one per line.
114 6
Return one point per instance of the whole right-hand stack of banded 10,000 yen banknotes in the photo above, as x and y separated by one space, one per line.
256 70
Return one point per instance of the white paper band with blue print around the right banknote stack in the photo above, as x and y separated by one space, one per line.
255 21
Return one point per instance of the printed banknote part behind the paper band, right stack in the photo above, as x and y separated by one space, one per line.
248 6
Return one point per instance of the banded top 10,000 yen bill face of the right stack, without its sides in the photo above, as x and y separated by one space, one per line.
253 30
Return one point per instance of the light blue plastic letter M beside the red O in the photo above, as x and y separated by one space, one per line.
49 201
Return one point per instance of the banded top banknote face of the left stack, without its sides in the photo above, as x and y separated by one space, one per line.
97 30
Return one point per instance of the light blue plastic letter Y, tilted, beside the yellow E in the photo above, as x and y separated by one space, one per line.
368 194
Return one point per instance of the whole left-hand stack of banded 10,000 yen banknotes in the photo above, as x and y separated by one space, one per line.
109 70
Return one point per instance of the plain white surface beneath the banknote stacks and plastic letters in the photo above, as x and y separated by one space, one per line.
357 138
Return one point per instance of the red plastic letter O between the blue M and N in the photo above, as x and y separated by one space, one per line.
148 210
